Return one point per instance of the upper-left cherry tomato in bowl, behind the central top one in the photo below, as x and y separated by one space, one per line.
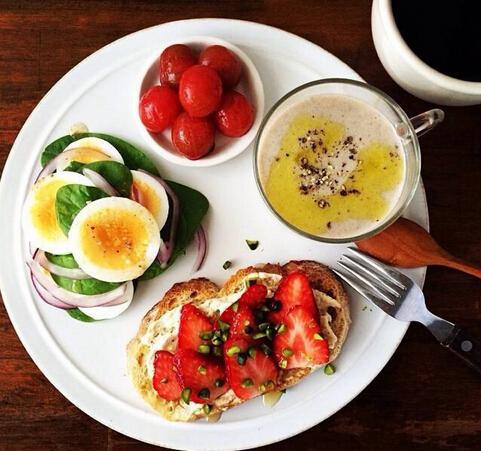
174 60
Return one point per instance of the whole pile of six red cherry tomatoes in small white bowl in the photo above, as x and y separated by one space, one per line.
196 97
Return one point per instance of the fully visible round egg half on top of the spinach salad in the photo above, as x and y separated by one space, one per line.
114 239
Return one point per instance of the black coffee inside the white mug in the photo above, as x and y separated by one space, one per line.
445 34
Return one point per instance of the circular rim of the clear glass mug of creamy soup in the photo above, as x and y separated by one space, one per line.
396 214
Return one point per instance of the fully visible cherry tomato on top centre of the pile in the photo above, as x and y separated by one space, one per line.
200 90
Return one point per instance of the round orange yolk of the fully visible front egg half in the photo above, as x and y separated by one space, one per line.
115 239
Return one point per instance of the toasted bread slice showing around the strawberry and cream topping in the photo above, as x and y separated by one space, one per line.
331 299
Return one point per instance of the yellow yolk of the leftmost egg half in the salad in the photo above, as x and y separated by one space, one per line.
42 211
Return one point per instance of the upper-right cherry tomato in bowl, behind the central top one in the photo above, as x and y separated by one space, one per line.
225 62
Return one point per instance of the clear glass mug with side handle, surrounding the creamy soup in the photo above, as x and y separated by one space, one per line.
408 130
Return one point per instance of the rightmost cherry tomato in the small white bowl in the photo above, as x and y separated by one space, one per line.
235 115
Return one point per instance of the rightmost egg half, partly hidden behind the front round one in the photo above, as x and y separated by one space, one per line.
154 196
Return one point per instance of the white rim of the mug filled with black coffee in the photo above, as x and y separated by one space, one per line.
456 84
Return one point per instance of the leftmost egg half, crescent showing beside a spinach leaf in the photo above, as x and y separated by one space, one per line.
39 217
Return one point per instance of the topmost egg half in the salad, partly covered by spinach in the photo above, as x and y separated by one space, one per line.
88 150
